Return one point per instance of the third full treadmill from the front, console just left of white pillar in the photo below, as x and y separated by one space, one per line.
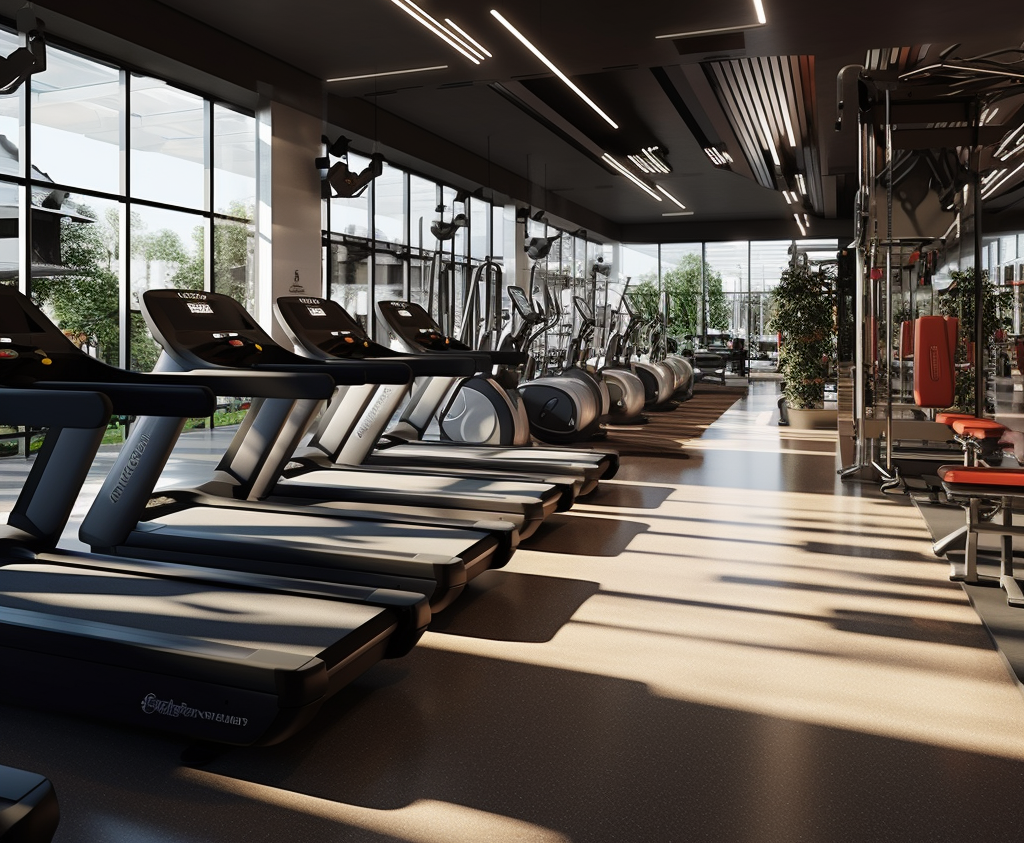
228 336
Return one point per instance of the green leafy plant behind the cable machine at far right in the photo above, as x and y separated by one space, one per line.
958 301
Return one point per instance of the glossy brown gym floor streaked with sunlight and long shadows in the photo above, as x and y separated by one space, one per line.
730 648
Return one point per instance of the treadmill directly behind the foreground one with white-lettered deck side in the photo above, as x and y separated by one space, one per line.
207 526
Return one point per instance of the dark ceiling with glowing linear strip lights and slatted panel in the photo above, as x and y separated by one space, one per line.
511 117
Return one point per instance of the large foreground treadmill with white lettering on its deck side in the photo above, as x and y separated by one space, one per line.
220 657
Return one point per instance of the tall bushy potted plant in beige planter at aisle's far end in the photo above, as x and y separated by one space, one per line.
804 316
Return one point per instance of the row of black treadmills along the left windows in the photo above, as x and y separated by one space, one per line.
231 611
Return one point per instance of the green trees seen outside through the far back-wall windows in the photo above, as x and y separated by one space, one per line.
682 288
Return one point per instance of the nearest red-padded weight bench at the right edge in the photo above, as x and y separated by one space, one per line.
971 486
